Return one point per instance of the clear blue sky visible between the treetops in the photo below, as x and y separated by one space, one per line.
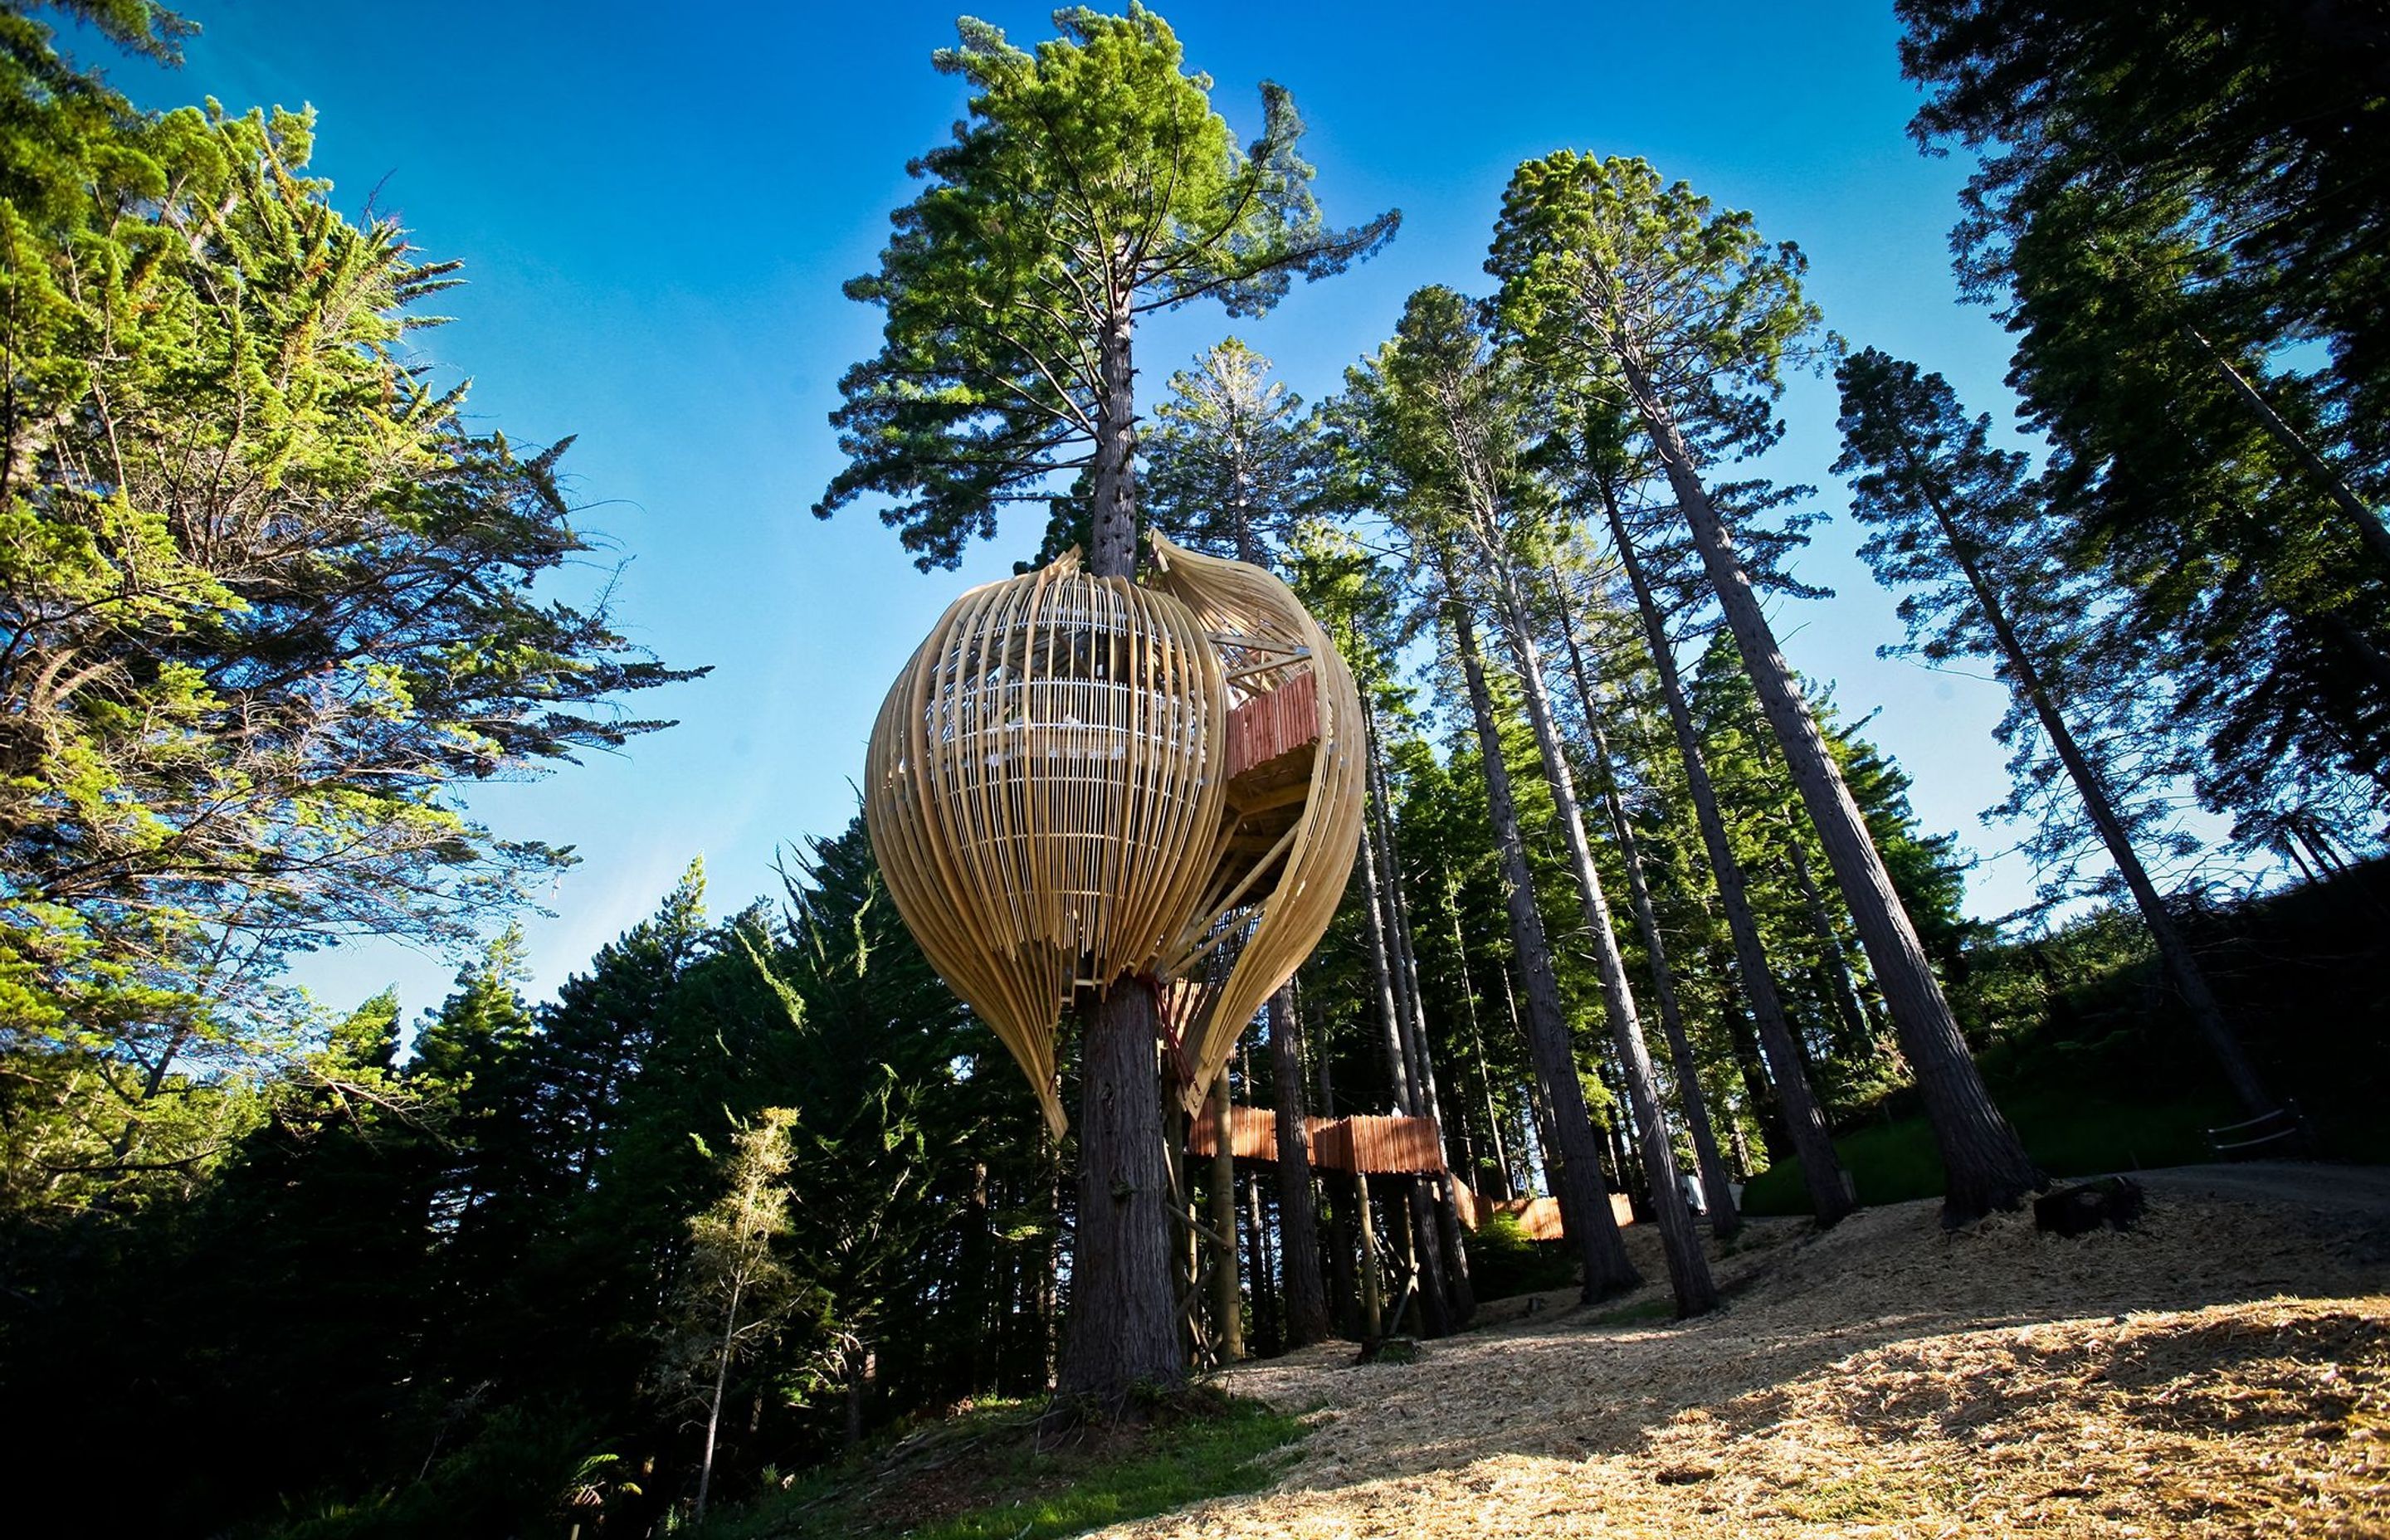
656 212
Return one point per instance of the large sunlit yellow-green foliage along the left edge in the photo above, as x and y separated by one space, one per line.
269 604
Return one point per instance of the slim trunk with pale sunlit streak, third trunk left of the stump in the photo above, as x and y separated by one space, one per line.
1689 1271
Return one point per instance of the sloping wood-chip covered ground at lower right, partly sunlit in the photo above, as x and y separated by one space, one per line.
2219 1371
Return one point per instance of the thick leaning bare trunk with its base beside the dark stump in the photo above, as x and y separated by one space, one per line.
1985 1159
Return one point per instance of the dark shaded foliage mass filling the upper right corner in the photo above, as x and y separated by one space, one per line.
2176 209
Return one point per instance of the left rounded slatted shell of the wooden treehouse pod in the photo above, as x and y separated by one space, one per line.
1043 793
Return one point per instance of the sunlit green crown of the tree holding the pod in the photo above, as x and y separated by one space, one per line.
1093 183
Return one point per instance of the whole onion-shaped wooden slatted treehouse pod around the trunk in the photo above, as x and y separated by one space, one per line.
1081 781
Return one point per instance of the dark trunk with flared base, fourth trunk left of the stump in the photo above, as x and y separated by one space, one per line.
1574 1166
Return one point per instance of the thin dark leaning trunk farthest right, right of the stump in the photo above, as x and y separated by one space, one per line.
2181 962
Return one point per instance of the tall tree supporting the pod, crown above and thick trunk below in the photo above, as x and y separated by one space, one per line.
1091 185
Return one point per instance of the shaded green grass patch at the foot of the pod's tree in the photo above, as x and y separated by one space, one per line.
991 1477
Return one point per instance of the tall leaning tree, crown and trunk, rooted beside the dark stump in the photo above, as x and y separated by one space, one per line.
1684 319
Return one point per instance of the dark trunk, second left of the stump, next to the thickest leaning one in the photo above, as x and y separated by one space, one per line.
1796 1104
